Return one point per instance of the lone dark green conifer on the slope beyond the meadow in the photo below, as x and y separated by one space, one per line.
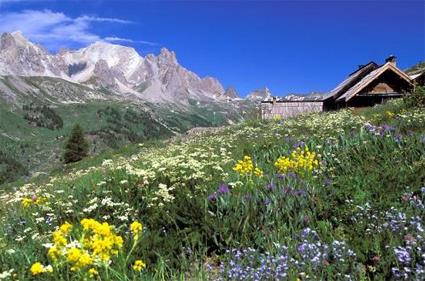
76 147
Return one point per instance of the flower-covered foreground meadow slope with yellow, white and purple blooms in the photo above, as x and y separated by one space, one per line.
330 196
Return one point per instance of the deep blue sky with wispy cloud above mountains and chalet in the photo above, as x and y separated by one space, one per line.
288 46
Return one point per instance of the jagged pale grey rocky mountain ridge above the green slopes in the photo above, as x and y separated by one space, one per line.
154 78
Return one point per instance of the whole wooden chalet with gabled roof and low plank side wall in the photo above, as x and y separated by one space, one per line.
370 84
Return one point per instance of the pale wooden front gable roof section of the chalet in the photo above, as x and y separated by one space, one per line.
370 77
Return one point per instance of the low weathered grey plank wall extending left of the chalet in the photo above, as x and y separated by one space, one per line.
289 109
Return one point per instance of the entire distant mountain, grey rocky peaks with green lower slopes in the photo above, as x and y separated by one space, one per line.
117 95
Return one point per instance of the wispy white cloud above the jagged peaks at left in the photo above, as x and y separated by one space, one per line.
55 29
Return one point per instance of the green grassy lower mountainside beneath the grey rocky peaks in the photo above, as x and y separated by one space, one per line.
29 135
